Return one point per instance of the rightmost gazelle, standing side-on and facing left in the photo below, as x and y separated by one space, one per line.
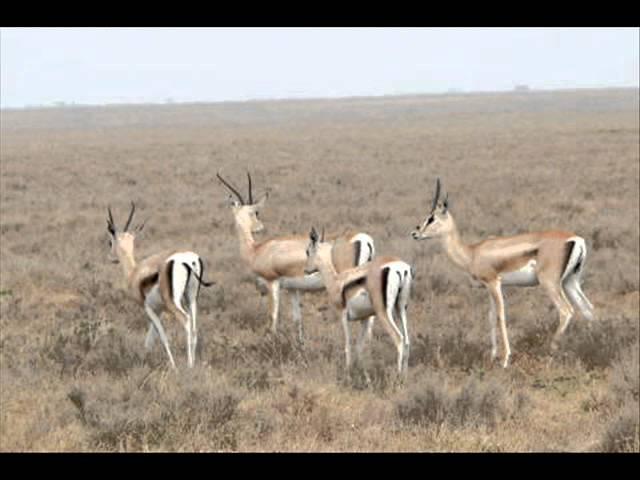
553 259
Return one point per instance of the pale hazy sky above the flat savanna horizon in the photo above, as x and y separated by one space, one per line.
109 65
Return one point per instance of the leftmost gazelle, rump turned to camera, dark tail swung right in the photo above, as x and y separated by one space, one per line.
164 281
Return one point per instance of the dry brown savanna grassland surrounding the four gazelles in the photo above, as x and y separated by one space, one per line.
73 371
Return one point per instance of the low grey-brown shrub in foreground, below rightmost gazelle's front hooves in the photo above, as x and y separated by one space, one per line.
476 403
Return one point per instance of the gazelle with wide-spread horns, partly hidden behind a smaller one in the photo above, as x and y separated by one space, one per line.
279 262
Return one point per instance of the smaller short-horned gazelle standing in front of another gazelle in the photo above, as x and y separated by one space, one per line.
379 288
